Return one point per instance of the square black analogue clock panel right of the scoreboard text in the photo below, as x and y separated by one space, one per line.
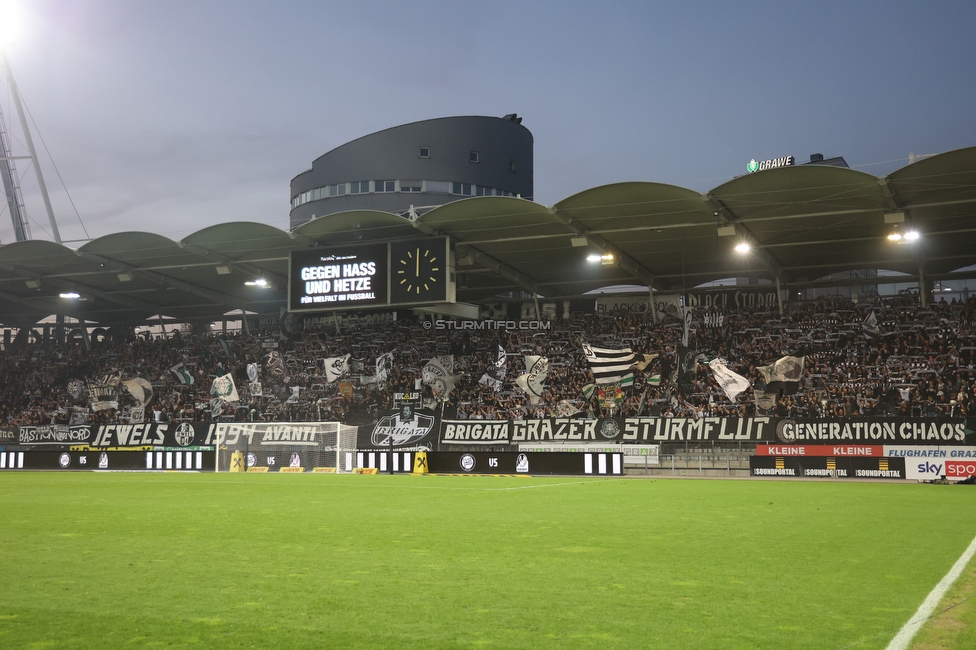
418 269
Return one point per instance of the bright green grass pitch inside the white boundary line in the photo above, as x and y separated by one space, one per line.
92 560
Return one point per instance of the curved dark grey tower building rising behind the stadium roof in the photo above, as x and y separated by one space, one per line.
422 164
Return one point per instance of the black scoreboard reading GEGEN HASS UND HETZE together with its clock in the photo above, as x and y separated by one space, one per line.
415 271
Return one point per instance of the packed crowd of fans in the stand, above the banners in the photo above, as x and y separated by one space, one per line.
917 361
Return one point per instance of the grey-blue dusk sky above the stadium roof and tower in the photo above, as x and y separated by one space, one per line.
171 116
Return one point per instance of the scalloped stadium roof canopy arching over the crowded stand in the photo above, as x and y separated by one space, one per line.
803 222
